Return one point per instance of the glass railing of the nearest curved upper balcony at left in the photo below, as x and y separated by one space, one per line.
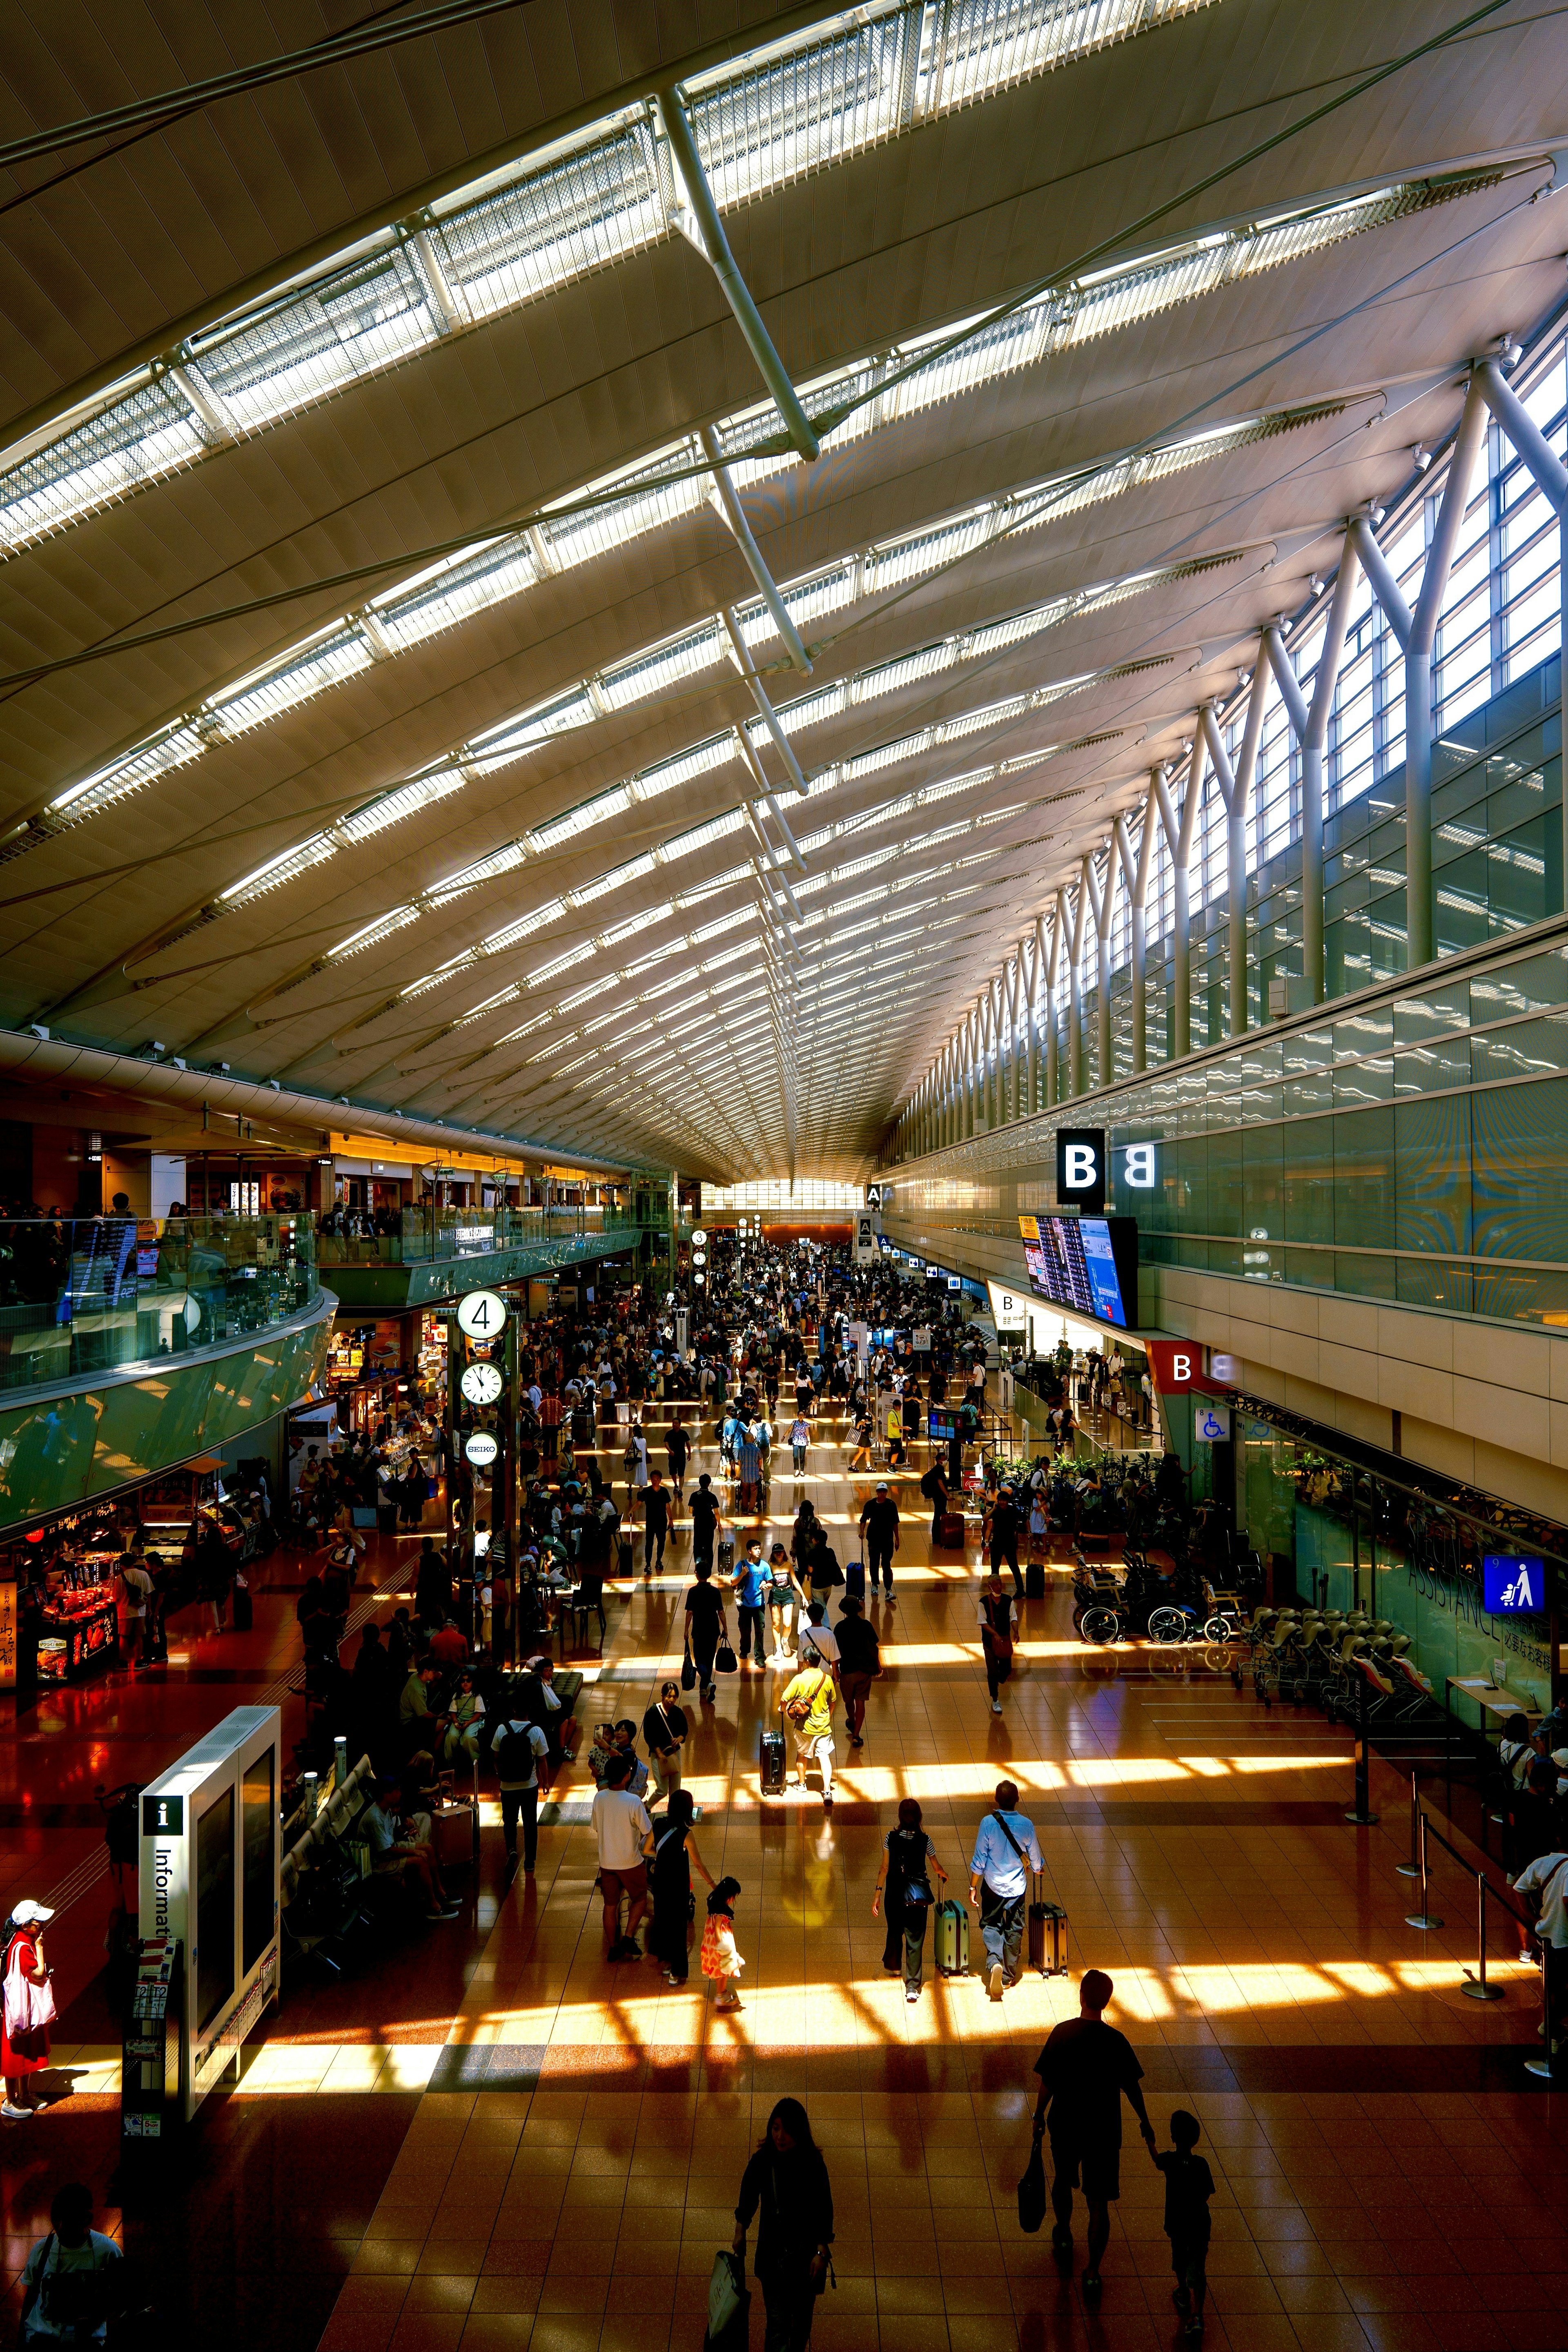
91 1295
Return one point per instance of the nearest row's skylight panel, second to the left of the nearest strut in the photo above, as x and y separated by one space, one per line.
351 323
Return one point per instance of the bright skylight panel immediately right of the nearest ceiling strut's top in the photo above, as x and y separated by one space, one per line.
805 112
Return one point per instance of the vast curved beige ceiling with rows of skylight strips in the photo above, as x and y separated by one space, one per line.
373 730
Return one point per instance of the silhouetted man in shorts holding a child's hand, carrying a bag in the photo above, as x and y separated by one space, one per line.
1085 2071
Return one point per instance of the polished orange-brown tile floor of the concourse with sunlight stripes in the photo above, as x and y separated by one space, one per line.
495 2139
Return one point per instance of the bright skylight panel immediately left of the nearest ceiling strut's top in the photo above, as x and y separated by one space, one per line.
556 225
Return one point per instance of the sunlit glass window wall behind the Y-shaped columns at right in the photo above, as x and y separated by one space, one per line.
1496 857
